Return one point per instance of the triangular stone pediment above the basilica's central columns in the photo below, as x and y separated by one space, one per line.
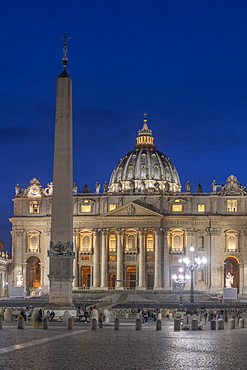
132 209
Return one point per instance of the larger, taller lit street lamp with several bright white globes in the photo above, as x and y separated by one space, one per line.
193 264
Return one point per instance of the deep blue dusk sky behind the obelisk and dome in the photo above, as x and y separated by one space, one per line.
183 62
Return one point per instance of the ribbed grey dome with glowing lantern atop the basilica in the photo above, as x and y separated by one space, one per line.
144 169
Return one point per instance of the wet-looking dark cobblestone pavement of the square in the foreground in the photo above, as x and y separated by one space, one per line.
82 348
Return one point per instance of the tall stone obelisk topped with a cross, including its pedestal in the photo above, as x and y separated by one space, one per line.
61 245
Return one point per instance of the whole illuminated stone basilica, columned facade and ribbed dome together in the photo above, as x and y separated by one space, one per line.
131 233
